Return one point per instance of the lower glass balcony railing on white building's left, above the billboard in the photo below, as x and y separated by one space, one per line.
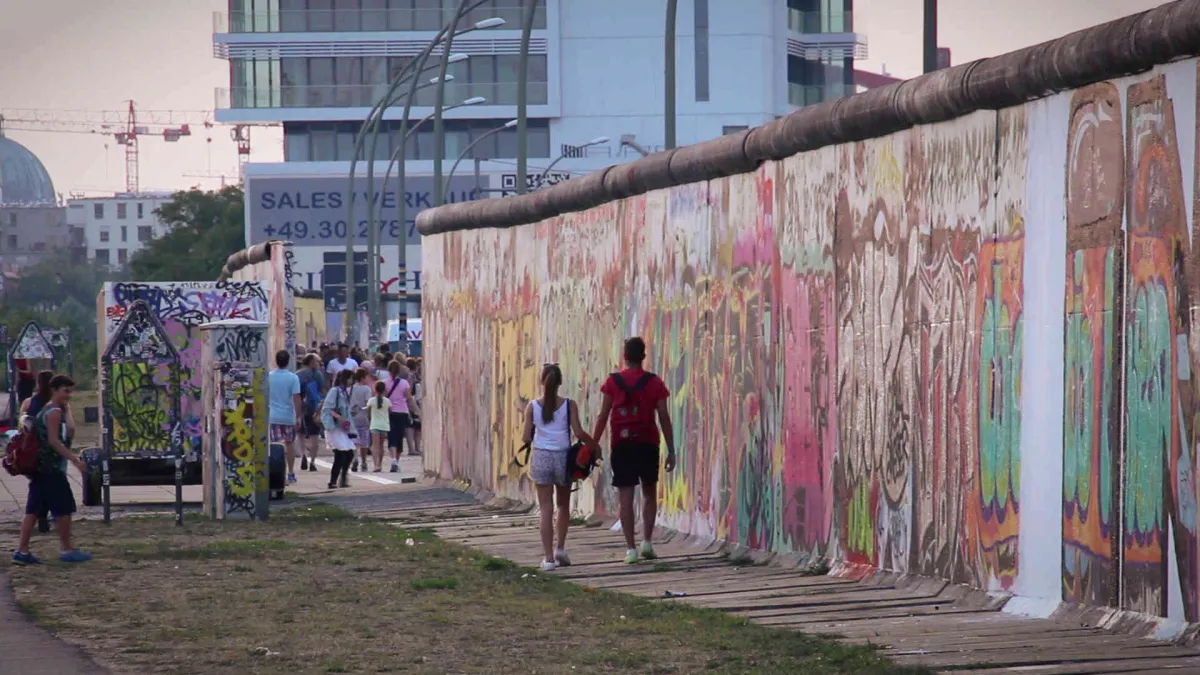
368 95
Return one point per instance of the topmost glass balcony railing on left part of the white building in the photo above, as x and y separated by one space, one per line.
355 21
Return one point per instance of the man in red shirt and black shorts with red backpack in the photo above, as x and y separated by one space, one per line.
632 398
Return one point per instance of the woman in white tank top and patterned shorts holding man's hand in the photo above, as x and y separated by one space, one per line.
550 421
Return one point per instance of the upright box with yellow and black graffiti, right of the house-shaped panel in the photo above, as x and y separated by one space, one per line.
233 374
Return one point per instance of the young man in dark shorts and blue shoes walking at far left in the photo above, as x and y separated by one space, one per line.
50 491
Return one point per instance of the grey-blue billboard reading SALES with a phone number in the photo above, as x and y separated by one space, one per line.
313 212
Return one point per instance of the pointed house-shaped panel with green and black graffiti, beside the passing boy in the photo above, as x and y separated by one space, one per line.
140 381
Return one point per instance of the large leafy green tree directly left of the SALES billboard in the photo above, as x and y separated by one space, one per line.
206 230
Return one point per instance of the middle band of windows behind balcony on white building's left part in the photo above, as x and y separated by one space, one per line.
343 82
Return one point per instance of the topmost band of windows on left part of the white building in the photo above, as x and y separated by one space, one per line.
352 16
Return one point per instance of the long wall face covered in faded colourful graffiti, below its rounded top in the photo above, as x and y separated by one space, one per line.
963 350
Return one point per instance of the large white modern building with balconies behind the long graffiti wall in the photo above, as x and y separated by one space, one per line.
596 70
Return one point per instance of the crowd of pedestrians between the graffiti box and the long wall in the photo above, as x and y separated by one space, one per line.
361 405
